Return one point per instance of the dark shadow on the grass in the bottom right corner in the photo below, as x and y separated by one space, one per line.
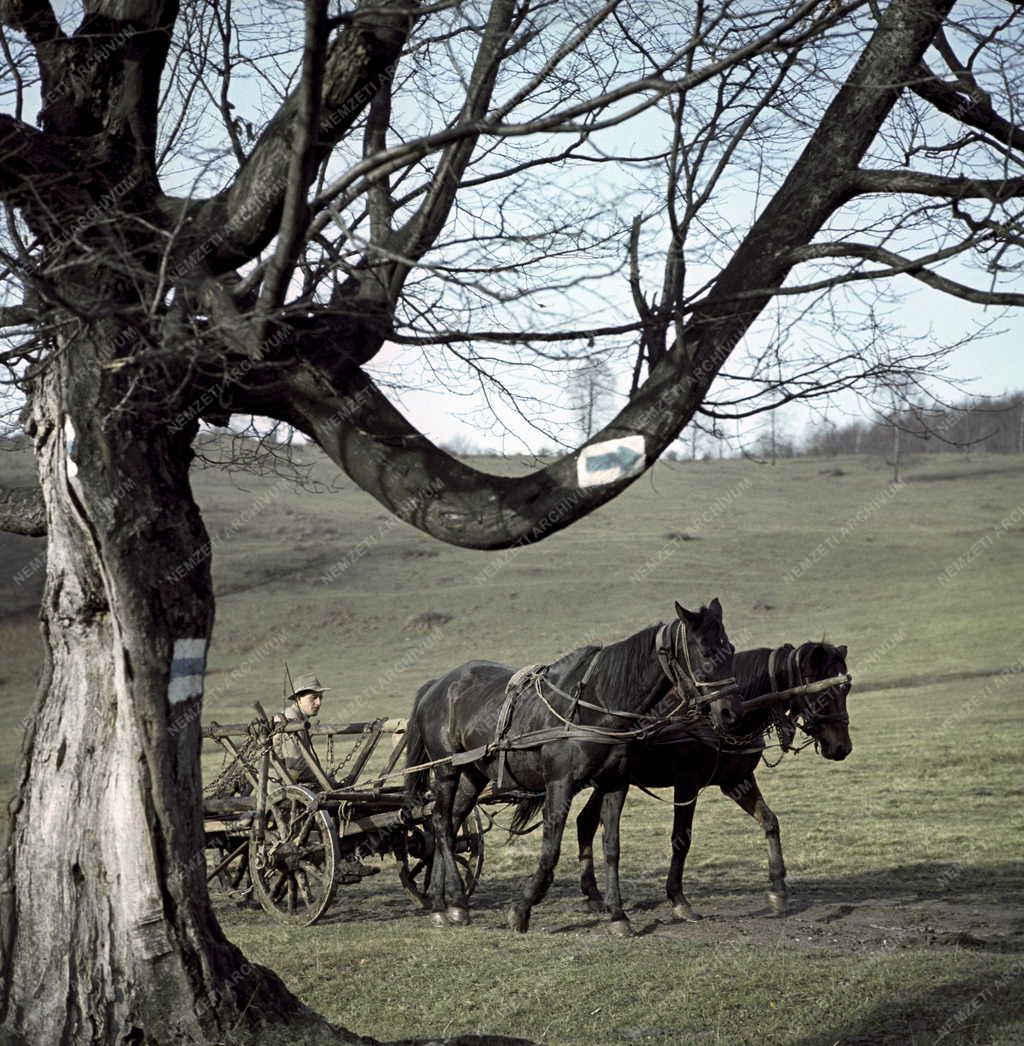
966 1011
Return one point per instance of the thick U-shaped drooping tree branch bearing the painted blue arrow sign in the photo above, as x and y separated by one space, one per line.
368 438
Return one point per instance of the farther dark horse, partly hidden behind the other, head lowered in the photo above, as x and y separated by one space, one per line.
689 760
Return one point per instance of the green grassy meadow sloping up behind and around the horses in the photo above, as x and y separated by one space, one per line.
905 861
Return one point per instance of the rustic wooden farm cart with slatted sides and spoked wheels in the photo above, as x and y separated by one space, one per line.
289 846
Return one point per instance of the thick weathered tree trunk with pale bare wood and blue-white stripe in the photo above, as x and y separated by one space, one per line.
108 936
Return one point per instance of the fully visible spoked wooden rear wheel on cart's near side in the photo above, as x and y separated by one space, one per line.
294 866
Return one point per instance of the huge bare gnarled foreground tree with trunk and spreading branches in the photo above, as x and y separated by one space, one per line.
460 177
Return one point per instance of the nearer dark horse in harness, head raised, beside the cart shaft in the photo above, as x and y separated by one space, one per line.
606 694
